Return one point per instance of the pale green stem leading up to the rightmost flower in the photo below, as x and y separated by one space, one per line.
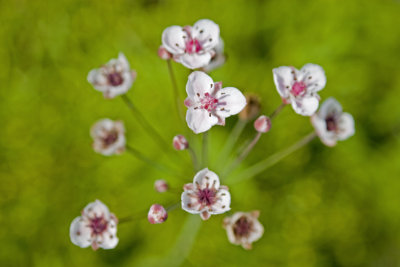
273 159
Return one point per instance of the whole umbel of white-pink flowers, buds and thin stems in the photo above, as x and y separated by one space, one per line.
200 48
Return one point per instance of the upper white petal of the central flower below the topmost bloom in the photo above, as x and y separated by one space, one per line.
198 84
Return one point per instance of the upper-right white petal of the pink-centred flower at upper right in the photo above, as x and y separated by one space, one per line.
313 76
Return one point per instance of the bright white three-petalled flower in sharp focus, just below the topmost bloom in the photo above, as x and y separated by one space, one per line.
209 104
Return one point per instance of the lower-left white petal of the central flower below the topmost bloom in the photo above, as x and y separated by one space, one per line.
199 120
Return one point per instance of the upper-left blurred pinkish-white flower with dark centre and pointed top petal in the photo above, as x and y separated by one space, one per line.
114 78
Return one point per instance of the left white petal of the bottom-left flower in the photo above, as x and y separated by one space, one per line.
79 233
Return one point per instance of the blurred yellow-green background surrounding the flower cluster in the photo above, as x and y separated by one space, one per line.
320 206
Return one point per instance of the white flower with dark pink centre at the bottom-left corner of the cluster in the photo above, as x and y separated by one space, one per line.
96 227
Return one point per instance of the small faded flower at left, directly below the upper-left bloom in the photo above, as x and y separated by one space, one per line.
108 136
